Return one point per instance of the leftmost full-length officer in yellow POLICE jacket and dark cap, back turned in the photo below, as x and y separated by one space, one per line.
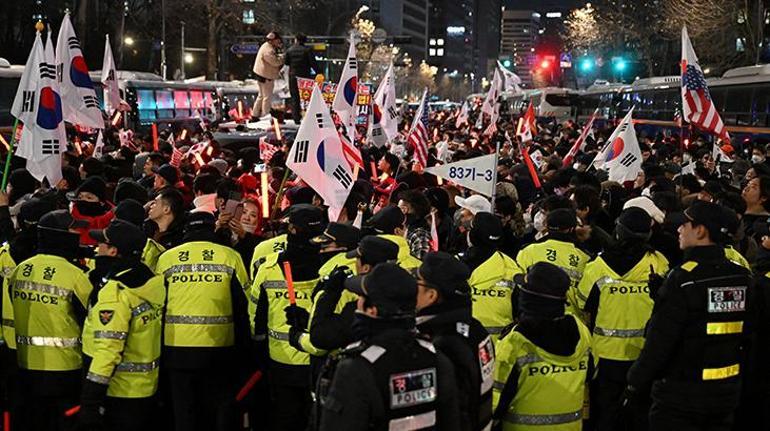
49 294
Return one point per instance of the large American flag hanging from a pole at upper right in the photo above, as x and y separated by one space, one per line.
697 106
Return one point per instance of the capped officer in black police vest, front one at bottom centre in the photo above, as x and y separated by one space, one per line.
389 379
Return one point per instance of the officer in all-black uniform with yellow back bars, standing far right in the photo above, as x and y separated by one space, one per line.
692 352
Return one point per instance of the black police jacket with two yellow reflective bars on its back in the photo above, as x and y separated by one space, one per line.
678 349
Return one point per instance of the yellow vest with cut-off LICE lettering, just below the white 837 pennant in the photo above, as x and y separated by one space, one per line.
491 288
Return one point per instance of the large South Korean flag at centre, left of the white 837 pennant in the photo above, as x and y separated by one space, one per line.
318 158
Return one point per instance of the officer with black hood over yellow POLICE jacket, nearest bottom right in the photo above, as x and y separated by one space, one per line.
542 363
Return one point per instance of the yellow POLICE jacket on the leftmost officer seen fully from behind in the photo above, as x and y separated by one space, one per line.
43 290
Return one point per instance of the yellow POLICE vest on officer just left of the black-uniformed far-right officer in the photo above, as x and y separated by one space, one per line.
624 308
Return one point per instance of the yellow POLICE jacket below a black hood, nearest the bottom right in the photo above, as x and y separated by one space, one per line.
550 389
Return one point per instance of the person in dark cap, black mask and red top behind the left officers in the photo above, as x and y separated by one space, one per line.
89 203
